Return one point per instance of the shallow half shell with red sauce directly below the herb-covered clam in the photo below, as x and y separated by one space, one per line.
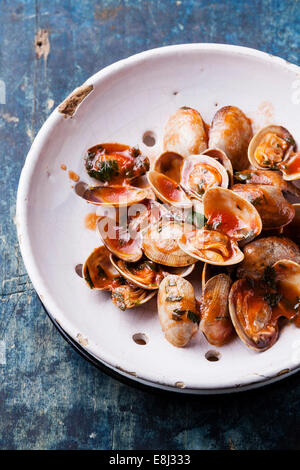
115 196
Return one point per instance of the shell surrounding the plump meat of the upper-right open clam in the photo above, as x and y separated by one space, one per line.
259 137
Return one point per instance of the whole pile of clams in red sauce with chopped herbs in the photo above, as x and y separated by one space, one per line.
217 197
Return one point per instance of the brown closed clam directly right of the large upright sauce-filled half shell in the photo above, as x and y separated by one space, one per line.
275 211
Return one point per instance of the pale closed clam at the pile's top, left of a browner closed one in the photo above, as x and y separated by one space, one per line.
185 132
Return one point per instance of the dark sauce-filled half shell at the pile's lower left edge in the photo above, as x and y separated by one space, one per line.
98 271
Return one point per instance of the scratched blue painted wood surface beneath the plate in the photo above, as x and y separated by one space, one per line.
51 398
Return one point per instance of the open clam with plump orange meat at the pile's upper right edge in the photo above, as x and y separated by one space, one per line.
270 148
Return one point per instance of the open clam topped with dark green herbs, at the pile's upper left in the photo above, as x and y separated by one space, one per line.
115 163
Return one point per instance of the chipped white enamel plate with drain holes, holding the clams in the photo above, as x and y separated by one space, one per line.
120 104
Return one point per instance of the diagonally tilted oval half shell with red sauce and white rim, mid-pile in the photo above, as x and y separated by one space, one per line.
167 190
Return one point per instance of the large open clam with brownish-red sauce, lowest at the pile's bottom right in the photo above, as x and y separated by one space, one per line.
251 316
